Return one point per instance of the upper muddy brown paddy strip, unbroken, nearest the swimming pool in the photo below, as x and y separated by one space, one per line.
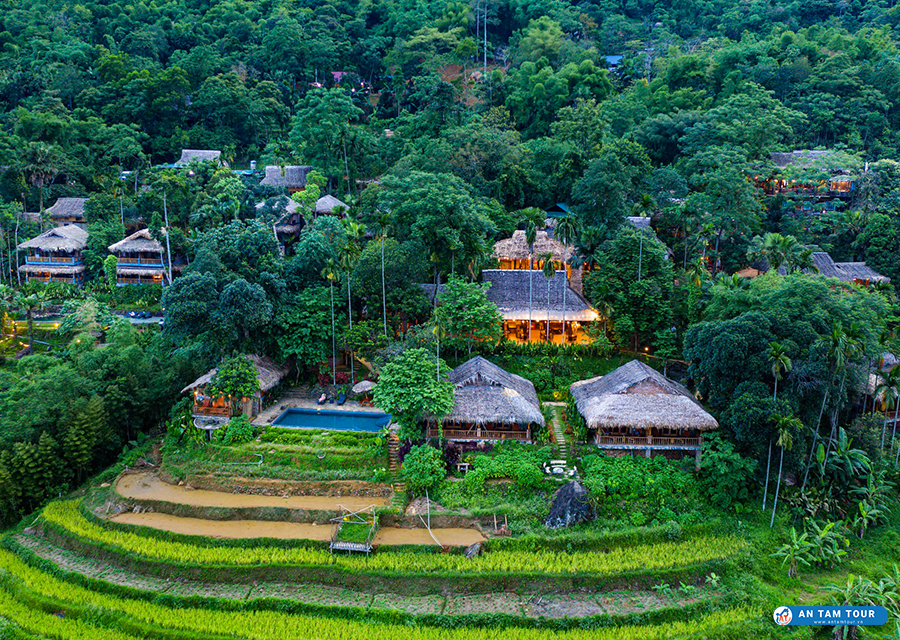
148 486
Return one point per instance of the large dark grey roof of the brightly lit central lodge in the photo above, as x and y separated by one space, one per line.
510 289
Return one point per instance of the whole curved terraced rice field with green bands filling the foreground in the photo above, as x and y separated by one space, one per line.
78 576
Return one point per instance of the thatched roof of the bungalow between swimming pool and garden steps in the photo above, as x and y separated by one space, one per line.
486 393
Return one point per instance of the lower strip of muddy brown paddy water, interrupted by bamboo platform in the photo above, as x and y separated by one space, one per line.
290 530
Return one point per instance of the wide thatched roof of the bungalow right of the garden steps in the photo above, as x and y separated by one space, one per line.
638 396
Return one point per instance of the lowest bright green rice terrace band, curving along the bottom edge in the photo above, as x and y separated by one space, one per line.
25 590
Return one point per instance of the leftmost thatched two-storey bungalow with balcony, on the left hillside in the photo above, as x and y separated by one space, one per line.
55 255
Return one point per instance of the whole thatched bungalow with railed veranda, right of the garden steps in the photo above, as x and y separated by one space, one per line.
636 408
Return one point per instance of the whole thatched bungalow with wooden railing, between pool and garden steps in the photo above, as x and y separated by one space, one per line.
490 404
